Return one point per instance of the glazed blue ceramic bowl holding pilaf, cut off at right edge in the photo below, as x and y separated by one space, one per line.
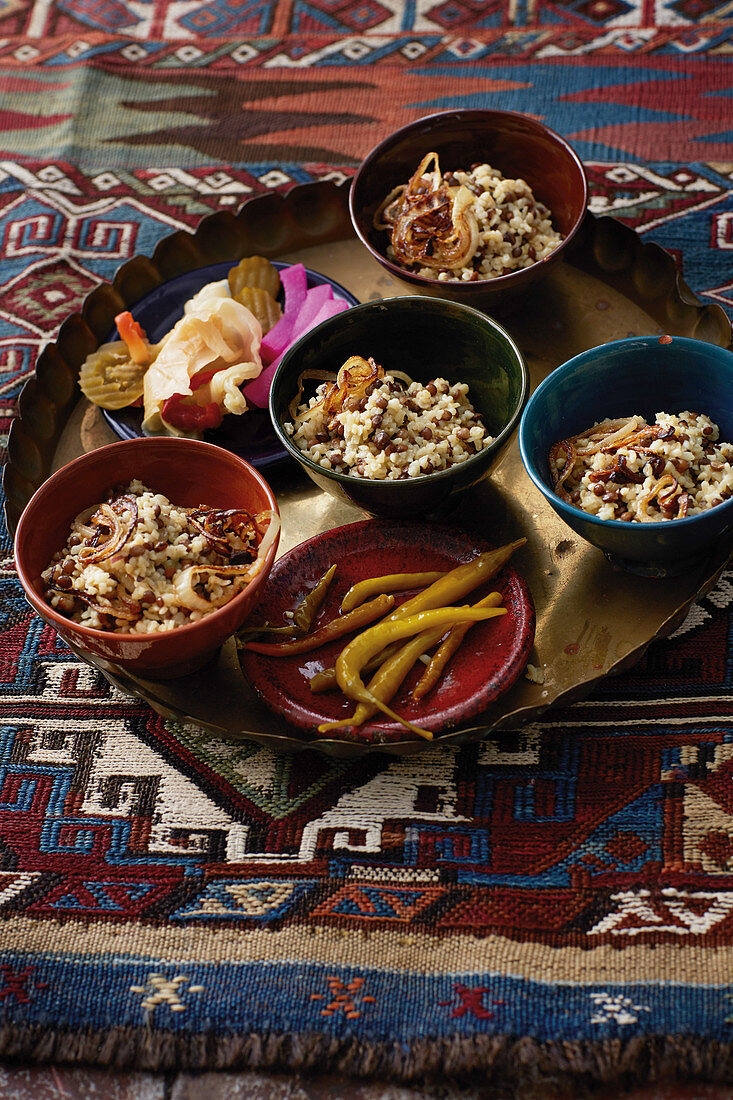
642 376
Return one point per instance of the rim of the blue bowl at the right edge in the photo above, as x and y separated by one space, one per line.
589 356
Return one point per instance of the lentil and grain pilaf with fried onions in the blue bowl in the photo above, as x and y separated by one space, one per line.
641 472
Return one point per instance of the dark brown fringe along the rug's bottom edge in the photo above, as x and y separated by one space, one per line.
491 1059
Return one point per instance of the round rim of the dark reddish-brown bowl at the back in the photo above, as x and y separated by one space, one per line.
485 284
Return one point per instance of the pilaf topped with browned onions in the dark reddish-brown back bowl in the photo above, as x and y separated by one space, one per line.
466 225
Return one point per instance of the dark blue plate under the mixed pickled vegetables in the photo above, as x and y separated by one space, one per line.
251 436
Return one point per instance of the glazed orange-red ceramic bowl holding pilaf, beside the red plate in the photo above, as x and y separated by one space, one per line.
190 474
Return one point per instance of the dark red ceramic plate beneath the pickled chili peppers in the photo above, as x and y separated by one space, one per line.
493 657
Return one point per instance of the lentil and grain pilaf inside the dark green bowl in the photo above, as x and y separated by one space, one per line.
387 427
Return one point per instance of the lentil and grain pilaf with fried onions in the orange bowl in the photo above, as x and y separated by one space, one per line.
138 564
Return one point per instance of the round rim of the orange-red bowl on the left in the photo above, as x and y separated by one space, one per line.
84 632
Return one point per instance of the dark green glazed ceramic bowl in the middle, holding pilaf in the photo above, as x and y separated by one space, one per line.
426 338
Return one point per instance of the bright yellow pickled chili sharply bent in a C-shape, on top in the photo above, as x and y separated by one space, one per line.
355 656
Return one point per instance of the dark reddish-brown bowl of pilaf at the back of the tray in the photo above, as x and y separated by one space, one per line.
517 145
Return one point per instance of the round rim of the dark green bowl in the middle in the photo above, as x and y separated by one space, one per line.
392 485
